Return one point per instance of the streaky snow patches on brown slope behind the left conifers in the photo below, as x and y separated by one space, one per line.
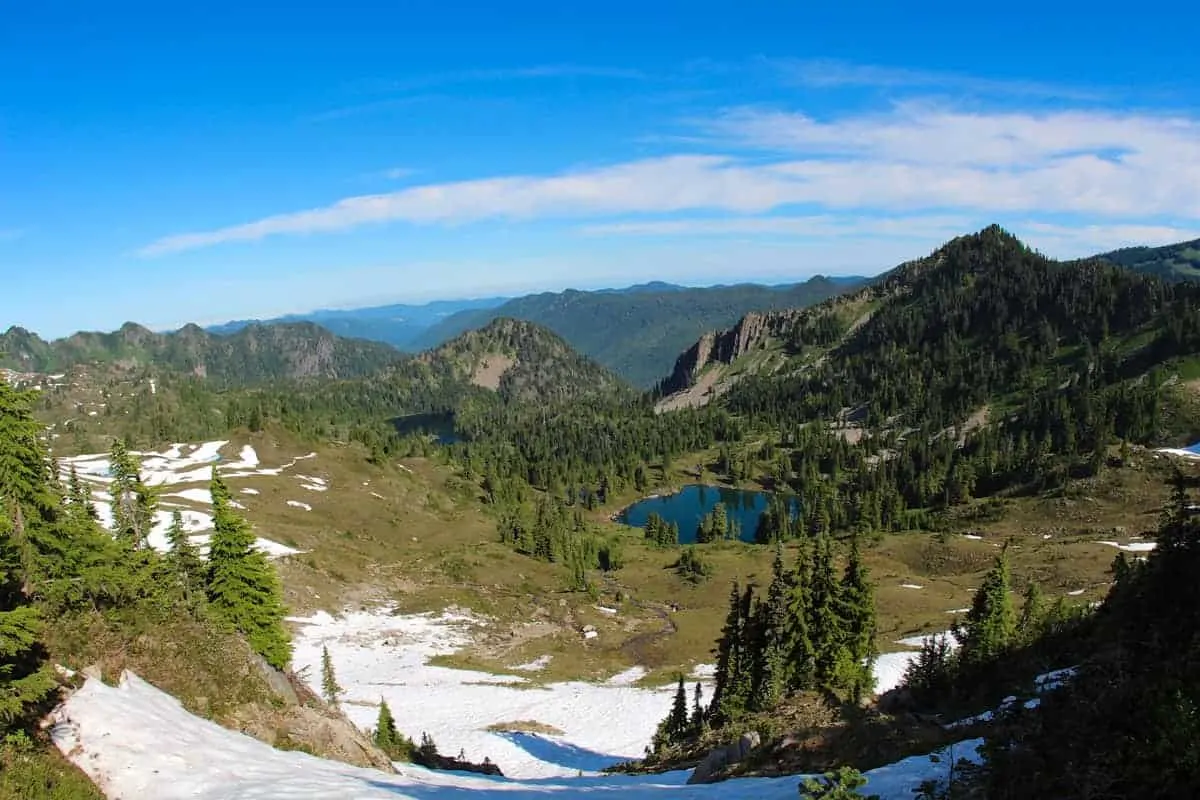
179 465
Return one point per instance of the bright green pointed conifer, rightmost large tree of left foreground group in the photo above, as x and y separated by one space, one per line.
242 585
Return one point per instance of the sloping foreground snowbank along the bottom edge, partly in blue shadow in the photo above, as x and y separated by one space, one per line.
136 742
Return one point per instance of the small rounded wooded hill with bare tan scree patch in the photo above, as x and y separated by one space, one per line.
524 363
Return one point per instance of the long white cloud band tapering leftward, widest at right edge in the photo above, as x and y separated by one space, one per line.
1127 170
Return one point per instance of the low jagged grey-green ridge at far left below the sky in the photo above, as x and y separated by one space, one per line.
255 354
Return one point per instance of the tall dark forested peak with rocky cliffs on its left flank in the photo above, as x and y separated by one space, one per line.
981 318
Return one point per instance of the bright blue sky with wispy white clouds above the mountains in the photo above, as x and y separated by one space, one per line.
248 160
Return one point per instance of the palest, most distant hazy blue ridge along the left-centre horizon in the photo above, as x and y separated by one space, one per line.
399 326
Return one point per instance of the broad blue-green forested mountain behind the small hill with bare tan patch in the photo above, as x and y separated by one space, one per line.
638 332
